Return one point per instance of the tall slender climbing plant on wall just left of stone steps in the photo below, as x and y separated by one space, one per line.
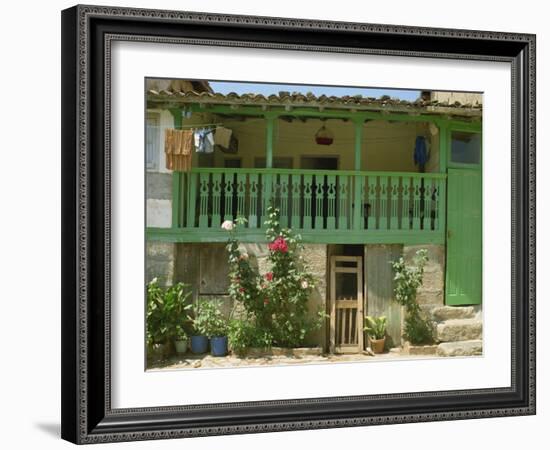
408 278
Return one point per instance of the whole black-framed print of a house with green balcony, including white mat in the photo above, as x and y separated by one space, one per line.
279 224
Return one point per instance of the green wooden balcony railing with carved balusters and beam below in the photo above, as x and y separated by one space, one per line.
334 206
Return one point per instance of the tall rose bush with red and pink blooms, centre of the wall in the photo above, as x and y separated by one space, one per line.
275 303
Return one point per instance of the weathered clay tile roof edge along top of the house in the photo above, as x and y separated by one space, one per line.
296 99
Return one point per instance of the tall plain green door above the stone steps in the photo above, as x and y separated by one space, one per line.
463 268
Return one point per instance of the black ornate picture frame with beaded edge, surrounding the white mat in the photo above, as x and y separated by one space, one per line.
87 34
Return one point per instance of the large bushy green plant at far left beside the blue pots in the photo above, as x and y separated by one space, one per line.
167 311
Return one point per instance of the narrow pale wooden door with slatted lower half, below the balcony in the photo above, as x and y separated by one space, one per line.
346 303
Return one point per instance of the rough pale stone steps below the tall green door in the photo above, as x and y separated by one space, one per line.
458 330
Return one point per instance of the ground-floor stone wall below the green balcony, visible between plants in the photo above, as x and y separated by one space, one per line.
205 268
